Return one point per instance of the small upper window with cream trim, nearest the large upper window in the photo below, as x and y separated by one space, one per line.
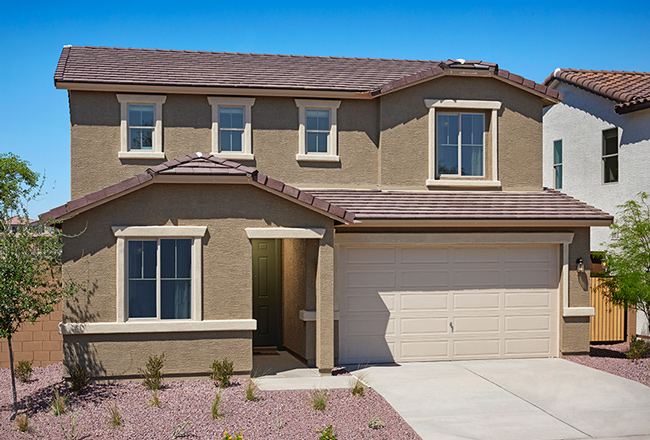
317 130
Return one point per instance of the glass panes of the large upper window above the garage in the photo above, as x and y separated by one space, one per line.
460 144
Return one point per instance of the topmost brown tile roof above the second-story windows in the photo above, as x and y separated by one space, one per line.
129 66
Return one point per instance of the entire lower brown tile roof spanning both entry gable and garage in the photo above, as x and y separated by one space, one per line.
348 205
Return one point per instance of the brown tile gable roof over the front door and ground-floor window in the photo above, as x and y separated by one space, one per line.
195 164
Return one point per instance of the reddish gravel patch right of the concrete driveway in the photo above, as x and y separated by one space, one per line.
611 359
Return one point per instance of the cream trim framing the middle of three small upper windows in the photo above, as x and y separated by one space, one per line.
247 138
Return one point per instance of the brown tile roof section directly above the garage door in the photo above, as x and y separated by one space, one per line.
460 205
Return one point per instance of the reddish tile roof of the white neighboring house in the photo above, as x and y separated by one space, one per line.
630 90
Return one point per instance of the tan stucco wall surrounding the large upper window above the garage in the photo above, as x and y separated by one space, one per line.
404 142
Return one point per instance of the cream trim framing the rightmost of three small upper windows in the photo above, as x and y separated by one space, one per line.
332 143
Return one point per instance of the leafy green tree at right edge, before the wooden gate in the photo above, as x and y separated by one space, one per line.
628 256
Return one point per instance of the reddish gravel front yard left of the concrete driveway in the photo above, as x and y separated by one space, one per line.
277 415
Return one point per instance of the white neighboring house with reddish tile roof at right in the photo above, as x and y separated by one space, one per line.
597 141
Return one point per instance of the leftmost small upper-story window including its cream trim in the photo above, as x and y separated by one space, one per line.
141 126
